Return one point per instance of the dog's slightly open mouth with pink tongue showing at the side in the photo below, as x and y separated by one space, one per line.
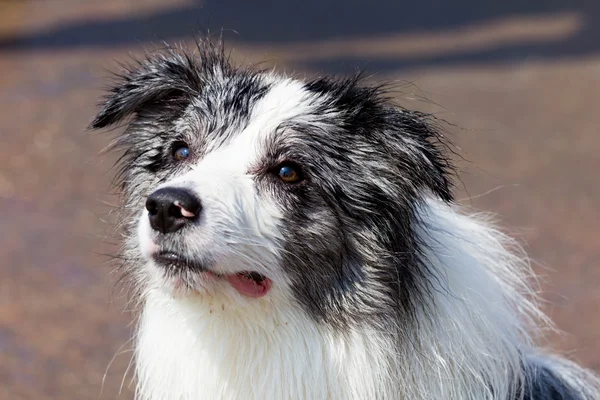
248 283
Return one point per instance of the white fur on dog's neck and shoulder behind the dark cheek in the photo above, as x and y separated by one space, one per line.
482 311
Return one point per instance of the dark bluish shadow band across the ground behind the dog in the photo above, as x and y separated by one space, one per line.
293 22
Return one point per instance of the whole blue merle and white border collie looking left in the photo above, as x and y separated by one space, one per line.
299 239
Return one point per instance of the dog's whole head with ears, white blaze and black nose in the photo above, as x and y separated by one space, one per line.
254 186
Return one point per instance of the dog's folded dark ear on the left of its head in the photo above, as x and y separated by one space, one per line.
162 80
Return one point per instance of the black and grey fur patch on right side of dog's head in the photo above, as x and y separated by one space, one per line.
350 244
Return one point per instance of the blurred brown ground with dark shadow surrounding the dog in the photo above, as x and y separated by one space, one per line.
519 80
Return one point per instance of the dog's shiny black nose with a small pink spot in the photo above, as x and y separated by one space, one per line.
169 209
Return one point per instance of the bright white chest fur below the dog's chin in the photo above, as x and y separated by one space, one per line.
195 348
